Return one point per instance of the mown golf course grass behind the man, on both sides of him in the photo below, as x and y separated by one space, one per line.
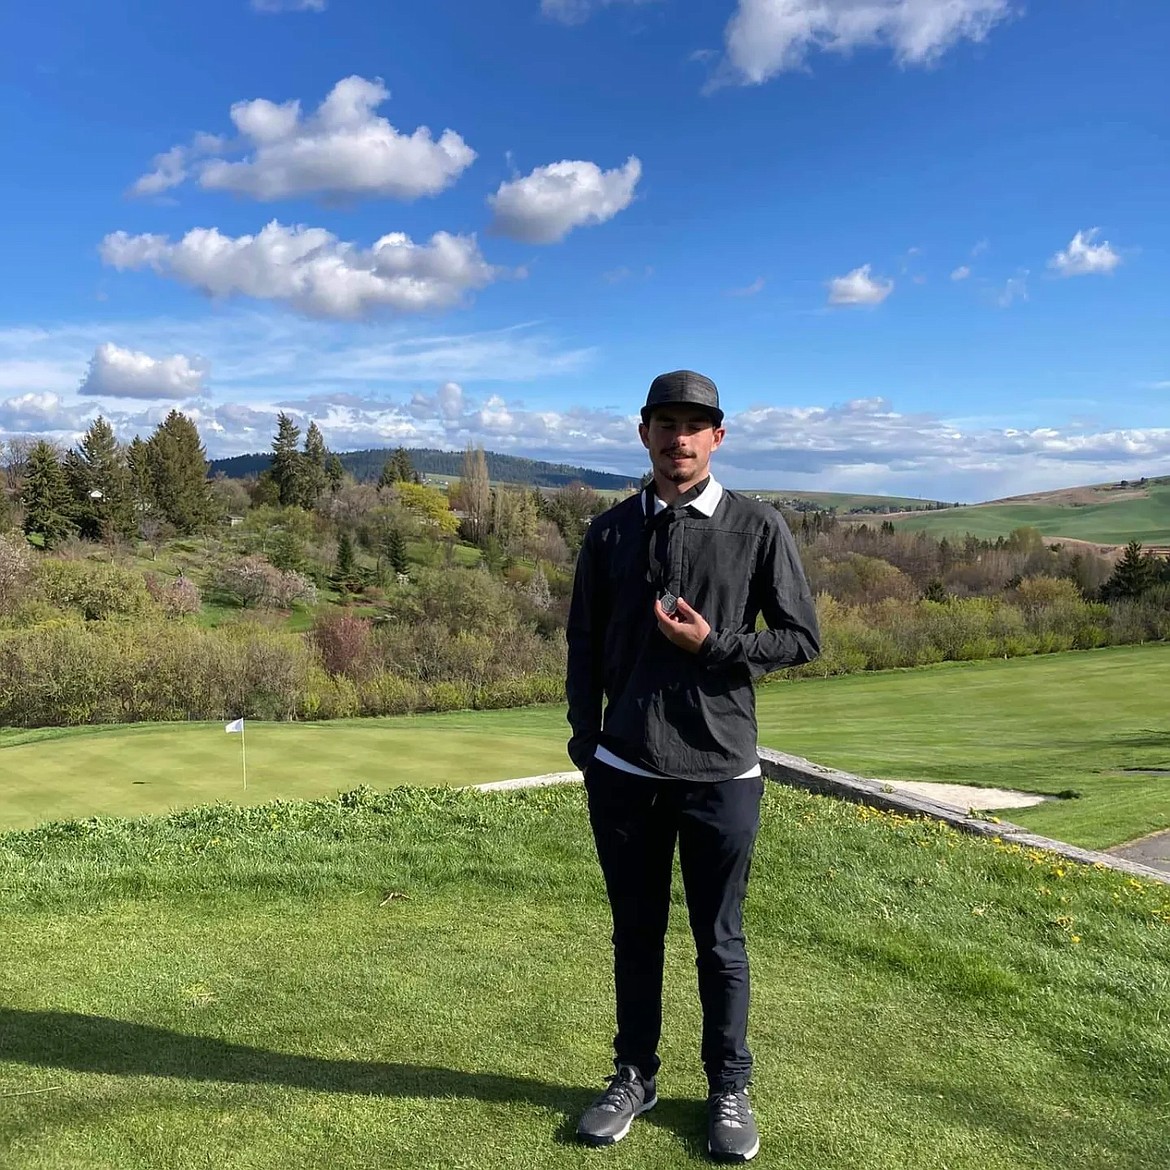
1051 724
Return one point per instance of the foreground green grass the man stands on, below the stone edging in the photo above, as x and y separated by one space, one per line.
238 989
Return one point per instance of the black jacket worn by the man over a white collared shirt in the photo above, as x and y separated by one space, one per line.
686 715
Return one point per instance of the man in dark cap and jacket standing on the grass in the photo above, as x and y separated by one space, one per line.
663 625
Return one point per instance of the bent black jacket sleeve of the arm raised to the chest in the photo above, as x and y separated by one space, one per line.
793 636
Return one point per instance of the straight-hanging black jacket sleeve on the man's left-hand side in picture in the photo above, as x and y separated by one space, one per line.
584 679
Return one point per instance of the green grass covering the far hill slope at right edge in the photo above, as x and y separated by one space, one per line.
1110 522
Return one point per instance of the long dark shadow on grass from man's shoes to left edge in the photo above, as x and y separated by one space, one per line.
97 1044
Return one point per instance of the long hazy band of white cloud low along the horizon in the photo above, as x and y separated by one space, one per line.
367 393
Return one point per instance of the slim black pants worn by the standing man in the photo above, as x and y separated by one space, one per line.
636 823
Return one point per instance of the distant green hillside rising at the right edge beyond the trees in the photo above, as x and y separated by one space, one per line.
1103 514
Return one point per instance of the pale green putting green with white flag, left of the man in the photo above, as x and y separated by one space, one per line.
61 774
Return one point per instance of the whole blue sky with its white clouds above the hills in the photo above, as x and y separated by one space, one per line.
923 247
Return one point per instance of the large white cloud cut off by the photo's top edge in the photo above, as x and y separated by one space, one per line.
766 38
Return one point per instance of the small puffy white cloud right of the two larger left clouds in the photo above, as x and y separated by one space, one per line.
547 205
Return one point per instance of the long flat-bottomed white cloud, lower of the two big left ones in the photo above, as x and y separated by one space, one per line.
312 270
